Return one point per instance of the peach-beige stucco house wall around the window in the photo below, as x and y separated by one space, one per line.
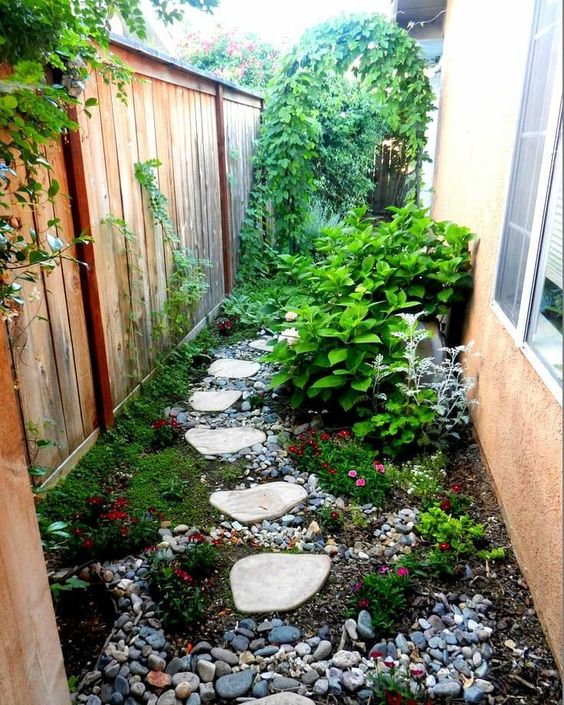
518 420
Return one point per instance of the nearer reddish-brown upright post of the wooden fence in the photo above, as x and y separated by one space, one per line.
78 188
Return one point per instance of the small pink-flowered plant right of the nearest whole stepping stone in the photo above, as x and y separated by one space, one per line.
384 594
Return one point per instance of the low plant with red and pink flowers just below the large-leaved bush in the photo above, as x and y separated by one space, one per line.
345 467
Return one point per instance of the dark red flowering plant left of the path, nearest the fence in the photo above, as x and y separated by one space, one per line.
106 527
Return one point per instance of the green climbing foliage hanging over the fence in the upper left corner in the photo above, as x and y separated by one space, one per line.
51 46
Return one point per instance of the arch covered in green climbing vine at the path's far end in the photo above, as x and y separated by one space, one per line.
388 63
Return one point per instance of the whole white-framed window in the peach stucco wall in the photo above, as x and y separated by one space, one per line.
528 290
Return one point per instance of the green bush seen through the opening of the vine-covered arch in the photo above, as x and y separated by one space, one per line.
351 129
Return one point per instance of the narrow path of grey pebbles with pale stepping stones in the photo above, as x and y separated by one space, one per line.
275 651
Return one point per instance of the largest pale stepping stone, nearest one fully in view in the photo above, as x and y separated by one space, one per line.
277 582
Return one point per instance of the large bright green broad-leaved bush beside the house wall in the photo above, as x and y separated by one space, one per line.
365 275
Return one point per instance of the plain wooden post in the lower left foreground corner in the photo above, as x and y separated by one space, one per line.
32 671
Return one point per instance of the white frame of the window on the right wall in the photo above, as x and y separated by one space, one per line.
520 331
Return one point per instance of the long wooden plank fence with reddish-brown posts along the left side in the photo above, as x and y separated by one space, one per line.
89 335
